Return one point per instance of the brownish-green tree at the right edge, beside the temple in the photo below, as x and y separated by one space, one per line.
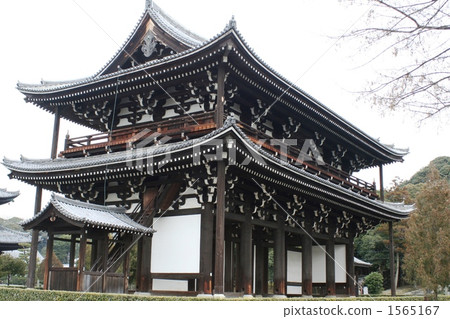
427 257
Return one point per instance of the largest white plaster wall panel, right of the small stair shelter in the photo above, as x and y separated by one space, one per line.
176 244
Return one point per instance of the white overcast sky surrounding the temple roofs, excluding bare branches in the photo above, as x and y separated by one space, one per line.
57 40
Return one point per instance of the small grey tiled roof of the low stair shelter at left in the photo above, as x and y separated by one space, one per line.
92 215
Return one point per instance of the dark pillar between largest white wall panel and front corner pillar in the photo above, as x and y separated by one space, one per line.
206 249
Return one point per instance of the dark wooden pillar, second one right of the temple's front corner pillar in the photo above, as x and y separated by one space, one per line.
279 256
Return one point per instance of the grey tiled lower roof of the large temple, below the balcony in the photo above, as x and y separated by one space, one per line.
314 184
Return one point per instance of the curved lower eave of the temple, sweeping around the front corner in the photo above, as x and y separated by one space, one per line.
306 182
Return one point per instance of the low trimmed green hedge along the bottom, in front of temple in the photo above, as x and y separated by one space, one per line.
21 294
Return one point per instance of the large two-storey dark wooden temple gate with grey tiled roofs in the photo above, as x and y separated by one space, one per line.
229 162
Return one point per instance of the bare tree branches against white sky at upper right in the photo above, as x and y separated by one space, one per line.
411 39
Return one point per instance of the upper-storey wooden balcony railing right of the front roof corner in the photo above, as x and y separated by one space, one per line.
323 170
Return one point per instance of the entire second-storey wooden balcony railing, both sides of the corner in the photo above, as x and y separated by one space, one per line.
189 127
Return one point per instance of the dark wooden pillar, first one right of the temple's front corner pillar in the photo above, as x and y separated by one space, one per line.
246 263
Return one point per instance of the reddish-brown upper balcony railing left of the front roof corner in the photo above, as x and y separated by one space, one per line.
176 129
